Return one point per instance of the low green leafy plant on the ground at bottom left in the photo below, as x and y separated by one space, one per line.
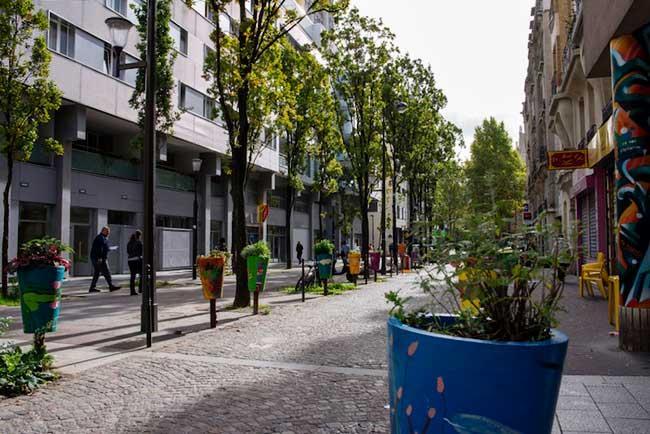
23 372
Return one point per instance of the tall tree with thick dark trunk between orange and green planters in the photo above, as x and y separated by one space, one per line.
245 72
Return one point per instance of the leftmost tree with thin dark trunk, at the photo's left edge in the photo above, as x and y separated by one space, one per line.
27 97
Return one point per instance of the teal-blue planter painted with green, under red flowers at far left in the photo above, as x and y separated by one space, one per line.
40 297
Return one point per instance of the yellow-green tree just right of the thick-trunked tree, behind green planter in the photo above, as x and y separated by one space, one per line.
305 115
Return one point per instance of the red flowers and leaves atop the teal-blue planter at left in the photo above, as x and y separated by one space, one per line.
42 252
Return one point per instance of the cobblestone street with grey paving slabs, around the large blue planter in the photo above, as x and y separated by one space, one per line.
317 367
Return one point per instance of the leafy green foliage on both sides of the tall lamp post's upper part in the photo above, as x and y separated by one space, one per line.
165 58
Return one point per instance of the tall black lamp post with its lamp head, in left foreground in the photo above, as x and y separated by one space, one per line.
120 28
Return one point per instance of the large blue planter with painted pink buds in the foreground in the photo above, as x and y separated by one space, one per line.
446 384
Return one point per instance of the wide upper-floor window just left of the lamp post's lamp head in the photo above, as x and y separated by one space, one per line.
64 38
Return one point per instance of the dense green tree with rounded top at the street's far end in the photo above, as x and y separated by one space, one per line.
496 174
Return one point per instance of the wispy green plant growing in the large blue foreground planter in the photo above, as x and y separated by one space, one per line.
499 286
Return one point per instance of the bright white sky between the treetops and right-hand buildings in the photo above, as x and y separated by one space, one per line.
478 50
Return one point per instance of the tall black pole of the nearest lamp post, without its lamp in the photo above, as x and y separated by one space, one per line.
149 307
